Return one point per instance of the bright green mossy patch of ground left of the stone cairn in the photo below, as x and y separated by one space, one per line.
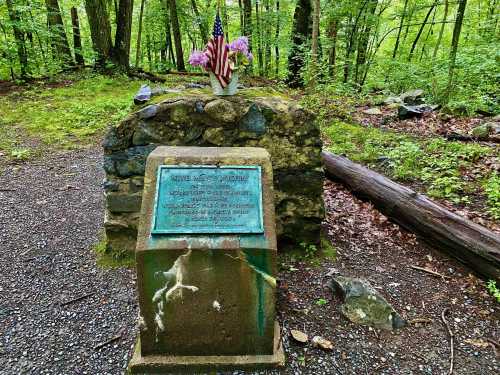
66 114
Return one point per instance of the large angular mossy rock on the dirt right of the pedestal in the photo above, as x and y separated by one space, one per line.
365 305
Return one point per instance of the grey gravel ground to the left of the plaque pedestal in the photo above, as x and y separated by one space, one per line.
51 214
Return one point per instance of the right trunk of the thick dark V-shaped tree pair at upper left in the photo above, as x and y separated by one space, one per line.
121 50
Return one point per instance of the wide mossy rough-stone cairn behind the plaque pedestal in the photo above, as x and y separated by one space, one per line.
253 118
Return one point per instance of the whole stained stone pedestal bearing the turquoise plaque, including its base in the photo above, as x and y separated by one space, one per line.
206 262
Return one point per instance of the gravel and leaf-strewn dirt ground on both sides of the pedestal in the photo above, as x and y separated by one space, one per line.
51 213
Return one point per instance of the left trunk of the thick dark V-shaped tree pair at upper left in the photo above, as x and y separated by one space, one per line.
100 29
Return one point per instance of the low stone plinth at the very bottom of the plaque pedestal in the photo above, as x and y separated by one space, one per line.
159 364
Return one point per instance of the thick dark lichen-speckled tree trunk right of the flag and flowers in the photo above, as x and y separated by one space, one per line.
301 32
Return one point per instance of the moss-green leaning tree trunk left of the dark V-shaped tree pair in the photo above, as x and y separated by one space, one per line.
57 34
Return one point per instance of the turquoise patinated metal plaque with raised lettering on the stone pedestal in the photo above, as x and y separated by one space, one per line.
208 199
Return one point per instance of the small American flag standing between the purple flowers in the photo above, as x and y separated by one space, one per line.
218 54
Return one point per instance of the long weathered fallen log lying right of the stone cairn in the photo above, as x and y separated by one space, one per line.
470 243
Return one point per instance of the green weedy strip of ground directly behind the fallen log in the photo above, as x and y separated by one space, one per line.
454 171
